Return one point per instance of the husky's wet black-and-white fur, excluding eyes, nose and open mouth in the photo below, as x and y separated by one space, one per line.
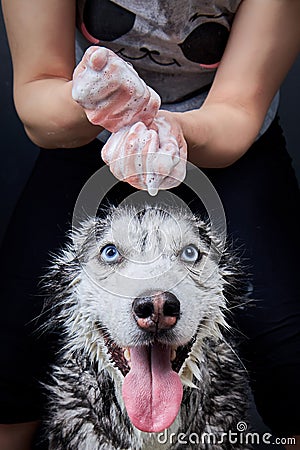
86 407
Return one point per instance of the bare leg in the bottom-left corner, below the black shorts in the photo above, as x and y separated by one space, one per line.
17 436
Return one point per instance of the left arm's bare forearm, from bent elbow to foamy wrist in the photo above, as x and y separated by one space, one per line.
52 119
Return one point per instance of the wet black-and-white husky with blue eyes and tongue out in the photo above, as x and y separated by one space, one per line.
141 299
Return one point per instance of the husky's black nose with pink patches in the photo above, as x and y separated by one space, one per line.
159 311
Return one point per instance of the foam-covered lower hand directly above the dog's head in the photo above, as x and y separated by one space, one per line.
148 158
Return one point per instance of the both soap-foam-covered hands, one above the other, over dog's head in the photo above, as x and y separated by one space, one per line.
144 149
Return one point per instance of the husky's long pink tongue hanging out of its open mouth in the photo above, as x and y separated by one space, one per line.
152 391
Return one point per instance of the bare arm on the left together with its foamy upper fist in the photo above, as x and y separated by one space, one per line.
42 38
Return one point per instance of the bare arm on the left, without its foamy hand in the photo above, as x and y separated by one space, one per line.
41 36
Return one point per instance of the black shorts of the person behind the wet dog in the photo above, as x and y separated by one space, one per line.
262 204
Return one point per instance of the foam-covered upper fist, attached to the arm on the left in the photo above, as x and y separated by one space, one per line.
111 92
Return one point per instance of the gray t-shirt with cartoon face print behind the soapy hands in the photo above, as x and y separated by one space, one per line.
175 46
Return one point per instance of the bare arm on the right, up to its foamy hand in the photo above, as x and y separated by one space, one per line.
264 42
